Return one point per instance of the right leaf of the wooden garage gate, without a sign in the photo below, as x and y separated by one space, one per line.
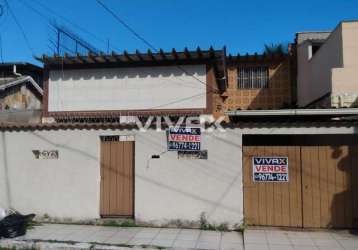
329 177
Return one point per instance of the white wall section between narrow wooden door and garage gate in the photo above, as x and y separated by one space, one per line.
170 188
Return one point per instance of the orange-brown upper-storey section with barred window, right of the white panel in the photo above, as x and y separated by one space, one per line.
256 82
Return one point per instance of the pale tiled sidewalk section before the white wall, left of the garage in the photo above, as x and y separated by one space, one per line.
135 236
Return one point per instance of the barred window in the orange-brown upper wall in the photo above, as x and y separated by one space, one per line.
253 77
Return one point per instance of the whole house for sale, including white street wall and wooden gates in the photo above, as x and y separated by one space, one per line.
269 164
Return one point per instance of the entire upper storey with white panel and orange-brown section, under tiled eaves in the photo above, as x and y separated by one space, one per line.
265 83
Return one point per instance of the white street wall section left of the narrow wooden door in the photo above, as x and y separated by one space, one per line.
60 188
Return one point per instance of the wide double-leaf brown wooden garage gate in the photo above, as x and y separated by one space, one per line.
321 188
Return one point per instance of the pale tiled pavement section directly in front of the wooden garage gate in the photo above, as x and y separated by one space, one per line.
296 240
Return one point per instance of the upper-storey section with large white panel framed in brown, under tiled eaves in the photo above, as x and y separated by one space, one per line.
142 84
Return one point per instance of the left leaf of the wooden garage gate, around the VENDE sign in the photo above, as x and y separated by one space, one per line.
273 204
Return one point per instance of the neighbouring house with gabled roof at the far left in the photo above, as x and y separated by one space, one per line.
20 92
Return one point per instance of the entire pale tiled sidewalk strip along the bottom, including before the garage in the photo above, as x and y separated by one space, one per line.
254 239
